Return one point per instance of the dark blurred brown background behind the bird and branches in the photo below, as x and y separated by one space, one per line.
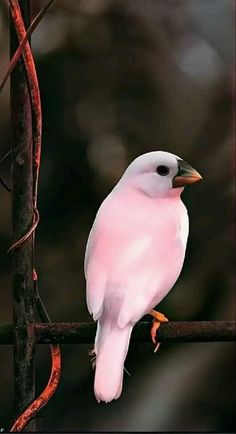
119 78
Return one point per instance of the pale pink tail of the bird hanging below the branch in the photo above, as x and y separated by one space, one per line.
111 346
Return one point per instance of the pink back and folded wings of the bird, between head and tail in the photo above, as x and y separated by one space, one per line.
130 266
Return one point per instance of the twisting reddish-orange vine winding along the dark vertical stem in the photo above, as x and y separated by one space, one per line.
24 46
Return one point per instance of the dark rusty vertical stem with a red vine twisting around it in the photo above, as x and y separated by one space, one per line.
22 216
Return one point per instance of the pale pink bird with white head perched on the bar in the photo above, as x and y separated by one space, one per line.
134 255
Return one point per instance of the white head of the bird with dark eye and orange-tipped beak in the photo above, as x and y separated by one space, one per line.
160 174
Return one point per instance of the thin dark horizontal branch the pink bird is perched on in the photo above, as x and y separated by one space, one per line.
78 333
